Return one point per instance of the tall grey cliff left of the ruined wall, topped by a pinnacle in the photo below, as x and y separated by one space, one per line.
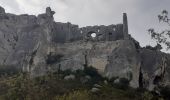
24 40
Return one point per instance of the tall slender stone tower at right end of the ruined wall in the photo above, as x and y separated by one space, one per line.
125 26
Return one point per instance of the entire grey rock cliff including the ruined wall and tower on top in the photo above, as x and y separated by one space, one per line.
38 44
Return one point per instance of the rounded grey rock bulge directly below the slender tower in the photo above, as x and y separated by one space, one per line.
124 62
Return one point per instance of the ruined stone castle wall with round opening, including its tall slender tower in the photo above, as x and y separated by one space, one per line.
67 32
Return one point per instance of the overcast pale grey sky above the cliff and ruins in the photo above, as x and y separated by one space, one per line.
142 14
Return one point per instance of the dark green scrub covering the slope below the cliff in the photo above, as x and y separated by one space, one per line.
53 87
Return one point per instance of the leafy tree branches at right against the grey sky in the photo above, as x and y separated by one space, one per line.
162 37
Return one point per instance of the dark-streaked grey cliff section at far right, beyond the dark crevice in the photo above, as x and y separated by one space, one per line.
154 69
